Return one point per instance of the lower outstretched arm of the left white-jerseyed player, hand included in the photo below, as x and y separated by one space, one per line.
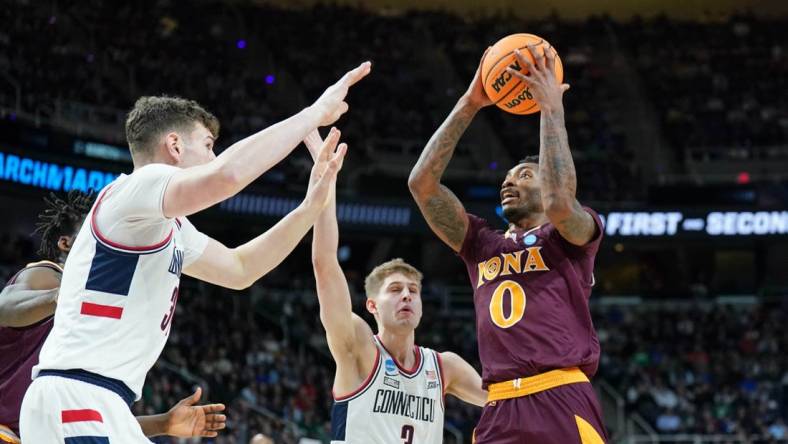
239 267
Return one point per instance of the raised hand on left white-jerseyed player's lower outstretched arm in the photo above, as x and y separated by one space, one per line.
328 162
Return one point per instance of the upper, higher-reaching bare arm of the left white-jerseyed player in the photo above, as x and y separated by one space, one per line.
193 189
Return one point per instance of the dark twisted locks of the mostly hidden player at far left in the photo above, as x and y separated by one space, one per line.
61 218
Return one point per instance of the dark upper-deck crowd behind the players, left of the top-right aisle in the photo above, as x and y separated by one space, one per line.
233 58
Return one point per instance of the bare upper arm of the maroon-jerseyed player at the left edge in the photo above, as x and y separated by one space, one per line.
31 298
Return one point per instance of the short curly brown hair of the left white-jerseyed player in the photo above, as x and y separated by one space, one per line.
153 115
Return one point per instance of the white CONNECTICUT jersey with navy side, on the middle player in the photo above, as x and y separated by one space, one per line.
394 405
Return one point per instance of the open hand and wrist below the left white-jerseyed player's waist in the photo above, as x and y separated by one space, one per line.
186 420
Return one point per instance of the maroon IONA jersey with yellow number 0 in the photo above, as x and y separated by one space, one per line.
531 290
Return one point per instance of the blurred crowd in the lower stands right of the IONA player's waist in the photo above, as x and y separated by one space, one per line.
714 369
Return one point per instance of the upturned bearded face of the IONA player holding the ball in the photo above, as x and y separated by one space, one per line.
520 192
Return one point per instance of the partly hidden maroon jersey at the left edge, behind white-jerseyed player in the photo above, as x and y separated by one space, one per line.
19 349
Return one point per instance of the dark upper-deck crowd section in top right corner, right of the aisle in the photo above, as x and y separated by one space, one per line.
717 84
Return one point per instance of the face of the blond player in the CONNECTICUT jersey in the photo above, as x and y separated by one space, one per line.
398 302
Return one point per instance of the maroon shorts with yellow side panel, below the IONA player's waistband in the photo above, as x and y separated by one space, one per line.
569 414
